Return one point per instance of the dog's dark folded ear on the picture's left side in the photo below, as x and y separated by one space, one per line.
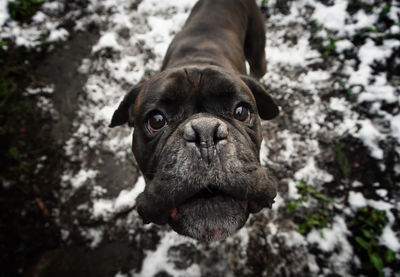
124 111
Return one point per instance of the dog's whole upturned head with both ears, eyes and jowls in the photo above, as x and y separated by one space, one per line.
196 139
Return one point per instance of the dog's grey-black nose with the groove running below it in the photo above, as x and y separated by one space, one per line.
205 132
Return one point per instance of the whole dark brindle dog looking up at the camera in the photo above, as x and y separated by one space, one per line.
197 132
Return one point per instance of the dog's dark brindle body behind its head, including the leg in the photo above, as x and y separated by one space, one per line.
222 33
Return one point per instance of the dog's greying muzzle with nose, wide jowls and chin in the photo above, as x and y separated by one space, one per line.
207 181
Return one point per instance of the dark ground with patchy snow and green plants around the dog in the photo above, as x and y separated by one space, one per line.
69 182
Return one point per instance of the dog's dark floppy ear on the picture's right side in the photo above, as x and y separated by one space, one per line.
267 108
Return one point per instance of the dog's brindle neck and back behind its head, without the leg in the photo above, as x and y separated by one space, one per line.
211 37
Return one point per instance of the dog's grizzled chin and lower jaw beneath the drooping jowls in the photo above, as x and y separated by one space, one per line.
209 217
